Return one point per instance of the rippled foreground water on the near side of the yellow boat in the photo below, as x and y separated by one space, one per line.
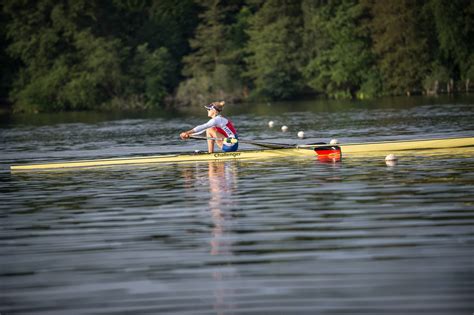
288 236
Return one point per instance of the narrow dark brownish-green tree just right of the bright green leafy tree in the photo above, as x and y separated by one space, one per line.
399 44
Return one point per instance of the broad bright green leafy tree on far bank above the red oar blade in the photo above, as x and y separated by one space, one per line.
342 64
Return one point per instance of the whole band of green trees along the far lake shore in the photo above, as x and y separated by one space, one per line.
142 54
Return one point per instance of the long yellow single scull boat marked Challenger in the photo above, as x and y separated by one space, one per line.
322 150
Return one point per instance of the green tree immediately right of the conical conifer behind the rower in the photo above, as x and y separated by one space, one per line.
274 47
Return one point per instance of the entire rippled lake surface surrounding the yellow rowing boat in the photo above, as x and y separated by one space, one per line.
288 236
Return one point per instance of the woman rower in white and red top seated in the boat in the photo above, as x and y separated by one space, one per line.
219 130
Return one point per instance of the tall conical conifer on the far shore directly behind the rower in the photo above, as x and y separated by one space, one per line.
212 68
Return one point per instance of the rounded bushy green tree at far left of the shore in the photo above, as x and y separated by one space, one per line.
83 77
